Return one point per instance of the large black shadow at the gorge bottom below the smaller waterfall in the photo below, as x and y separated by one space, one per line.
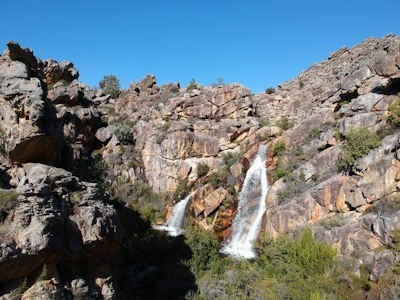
151 264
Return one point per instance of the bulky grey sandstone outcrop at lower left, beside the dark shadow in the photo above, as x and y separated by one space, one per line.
38 228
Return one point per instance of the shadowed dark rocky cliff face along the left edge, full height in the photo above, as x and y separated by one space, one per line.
57 233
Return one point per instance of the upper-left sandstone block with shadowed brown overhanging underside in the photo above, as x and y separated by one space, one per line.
29 122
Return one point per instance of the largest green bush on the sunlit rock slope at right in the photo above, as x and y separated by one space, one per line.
357 143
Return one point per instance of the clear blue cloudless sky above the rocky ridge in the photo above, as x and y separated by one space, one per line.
255 43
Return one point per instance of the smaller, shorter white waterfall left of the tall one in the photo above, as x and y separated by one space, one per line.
174 225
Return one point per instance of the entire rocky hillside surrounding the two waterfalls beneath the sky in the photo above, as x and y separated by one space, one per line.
70 156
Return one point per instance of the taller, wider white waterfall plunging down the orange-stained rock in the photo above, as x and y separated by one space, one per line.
251 208
